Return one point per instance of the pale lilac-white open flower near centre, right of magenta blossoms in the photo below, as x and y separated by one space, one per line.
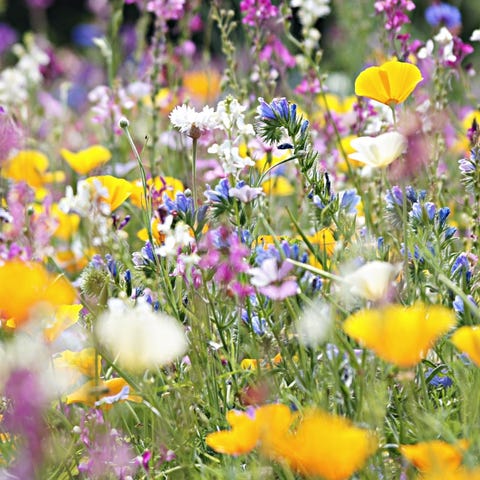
272 279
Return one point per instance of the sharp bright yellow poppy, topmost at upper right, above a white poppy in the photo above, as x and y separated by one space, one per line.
390 83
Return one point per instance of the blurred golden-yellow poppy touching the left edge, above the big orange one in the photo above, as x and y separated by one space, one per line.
29 166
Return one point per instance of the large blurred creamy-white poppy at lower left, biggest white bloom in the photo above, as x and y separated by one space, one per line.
139 338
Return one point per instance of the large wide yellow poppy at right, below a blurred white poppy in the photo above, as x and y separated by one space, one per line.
400 335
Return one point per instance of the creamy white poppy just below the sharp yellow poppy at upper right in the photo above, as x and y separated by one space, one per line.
378 151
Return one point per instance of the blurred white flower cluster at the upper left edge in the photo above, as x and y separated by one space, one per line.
16 81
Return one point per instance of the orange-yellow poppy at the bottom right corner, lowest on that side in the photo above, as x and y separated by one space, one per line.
435 455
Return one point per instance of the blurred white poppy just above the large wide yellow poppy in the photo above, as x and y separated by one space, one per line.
372 280
